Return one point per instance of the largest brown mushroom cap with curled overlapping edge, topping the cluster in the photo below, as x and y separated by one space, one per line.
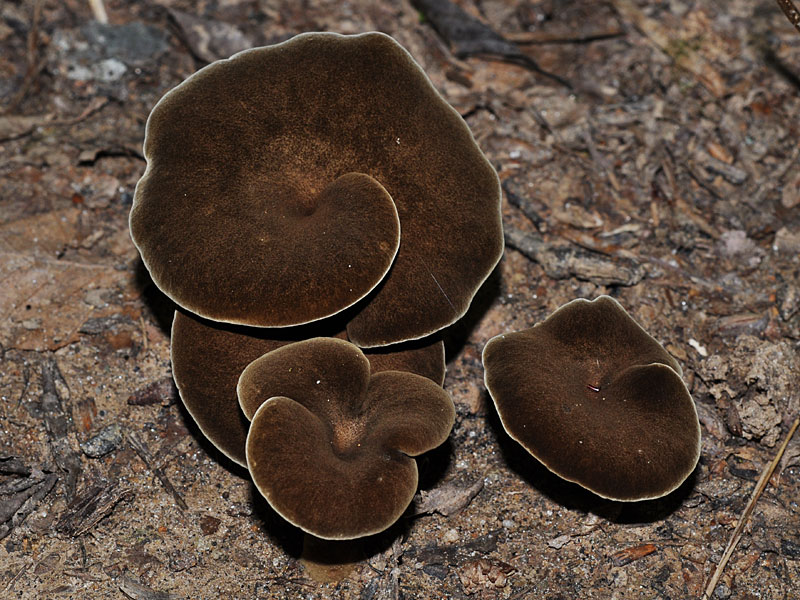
272 182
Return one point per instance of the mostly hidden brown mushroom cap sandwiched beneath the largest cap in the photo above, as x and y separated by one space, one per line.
208 357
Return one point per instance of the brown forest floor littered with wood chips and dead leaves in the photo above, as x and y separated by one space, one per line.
668 177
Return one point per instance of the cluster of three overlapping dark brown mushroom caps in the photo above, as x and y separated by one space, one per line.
317 211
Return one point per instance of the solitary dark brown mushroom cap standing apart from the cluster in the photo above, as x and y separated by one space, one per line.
597 400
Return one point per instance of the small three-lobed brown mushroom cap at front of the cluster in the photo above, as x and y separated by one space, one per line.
330 445
